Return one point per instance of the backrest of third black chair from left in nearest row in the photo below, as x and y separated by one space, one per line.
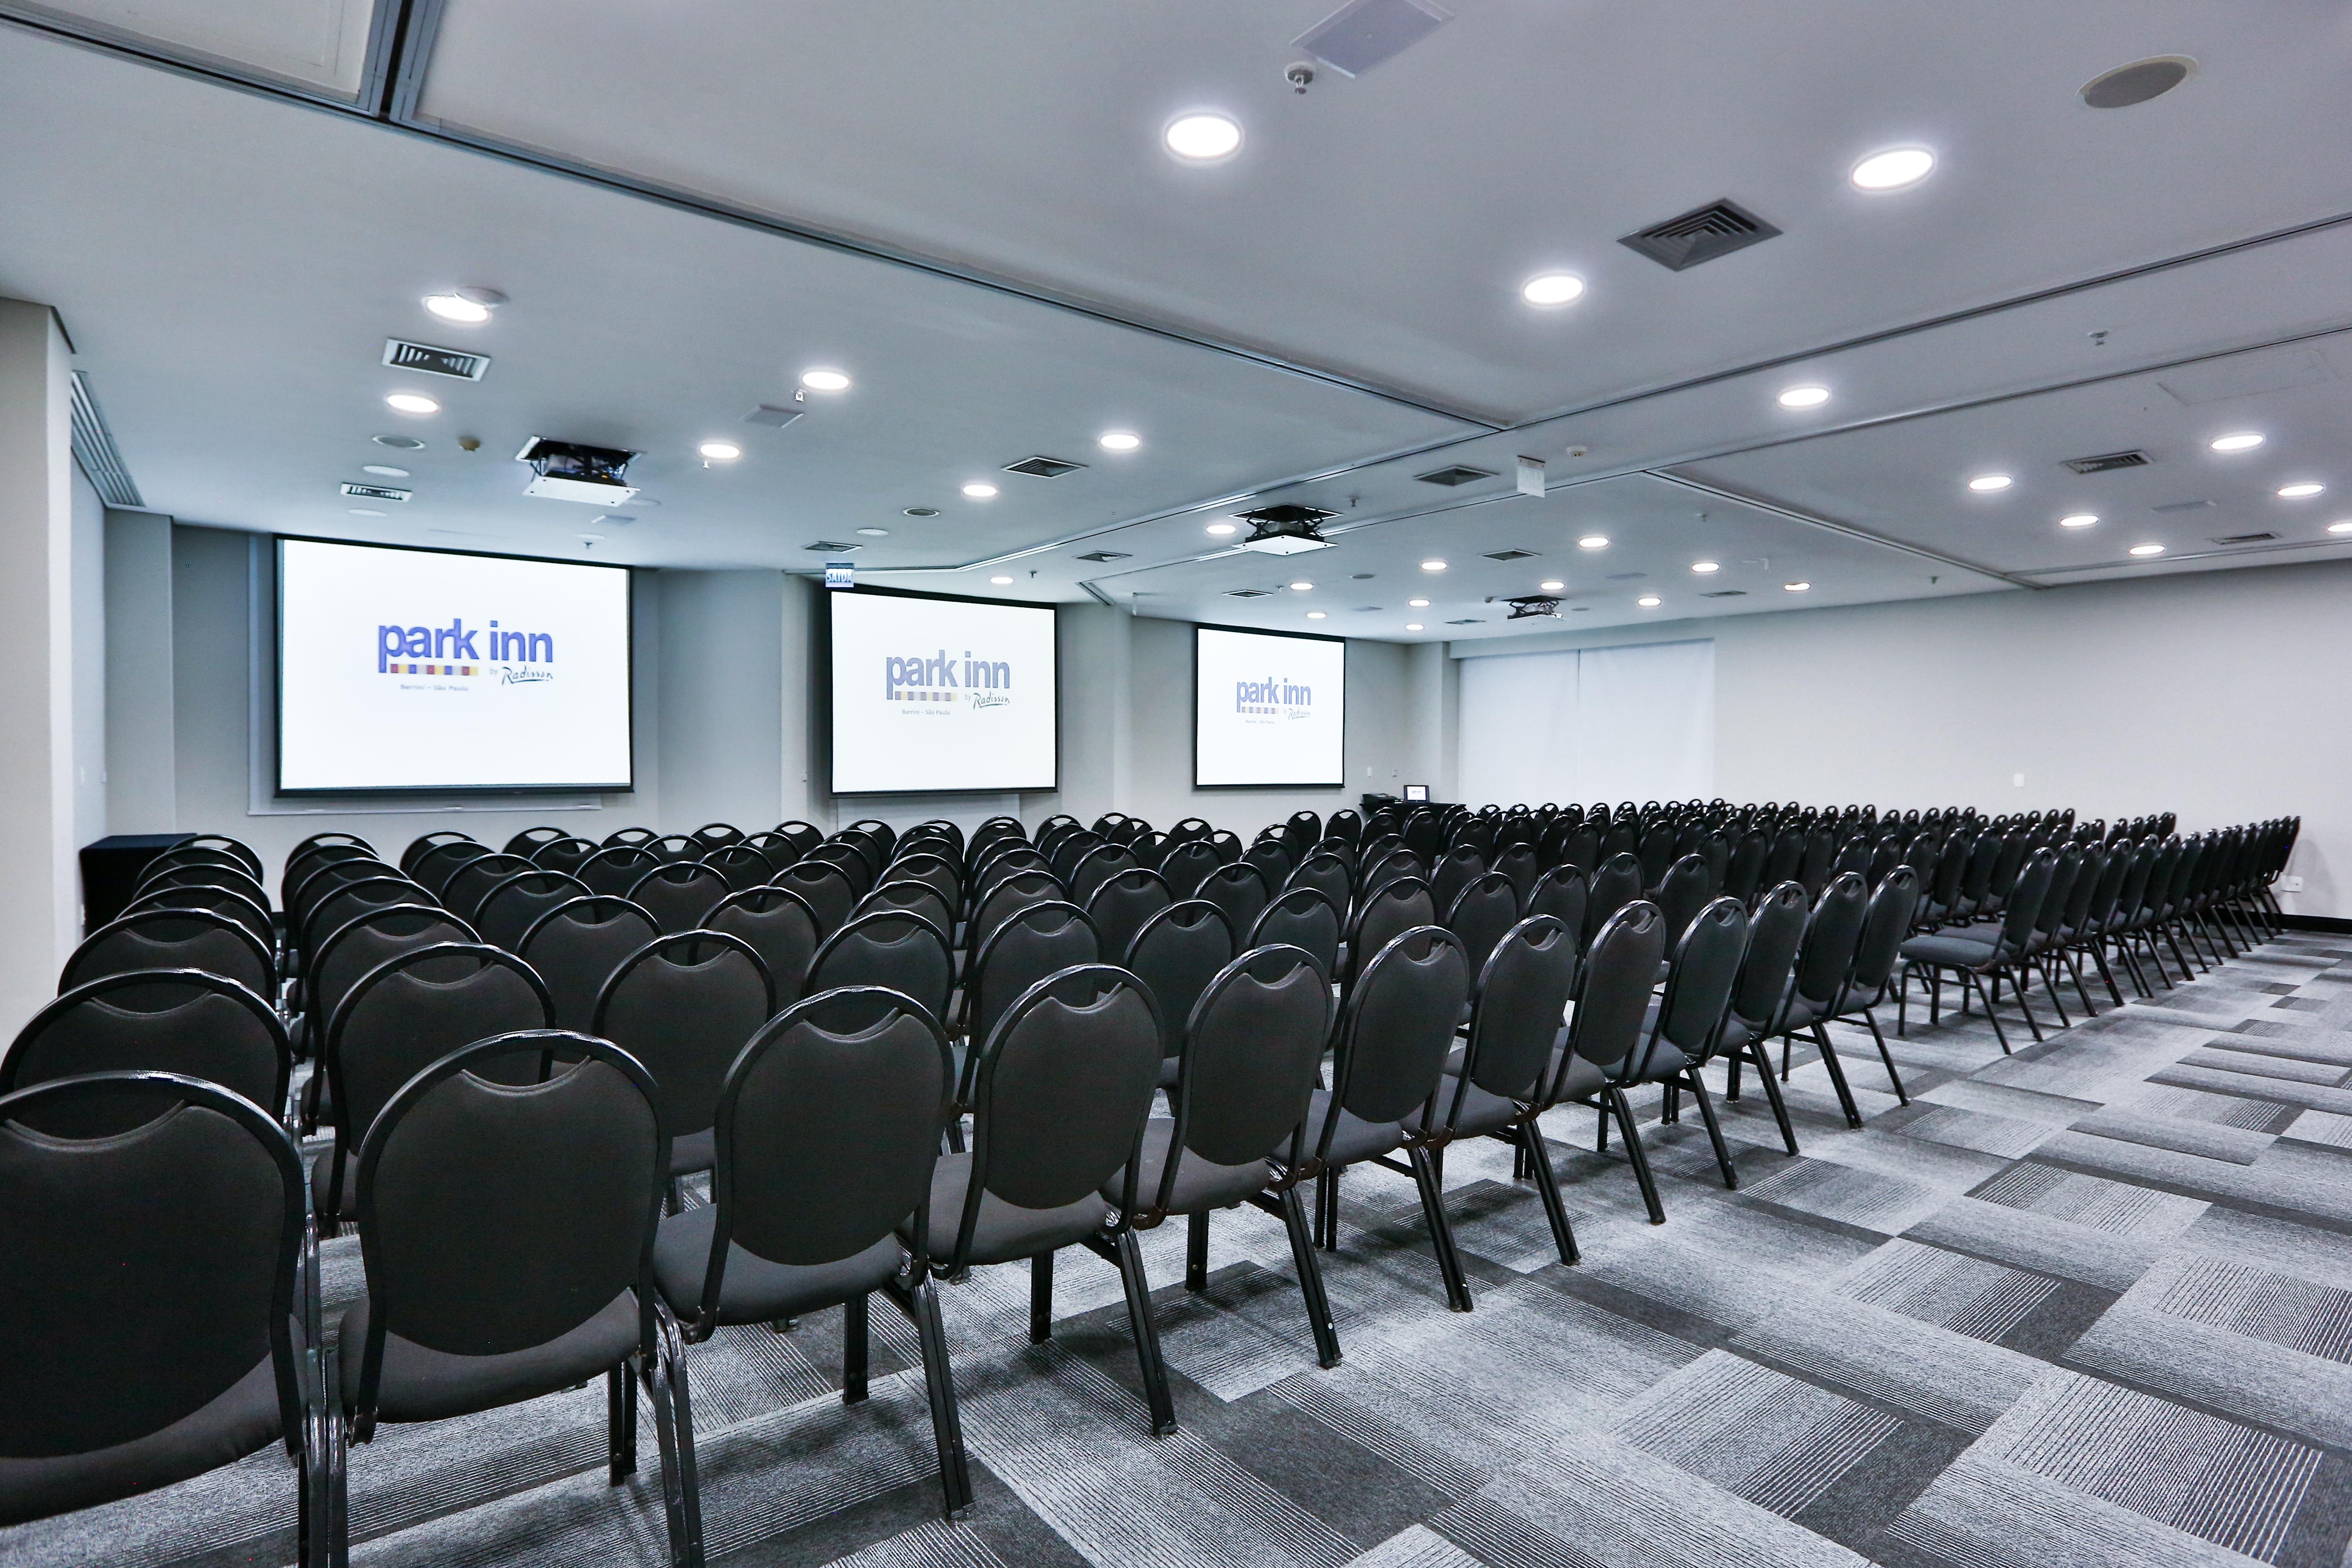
827 1134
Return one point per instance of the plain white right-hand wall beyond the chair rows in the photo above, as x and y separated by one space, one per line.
2212 695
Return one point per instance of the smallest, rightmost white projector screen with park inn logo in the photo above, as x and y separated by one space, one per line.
1269 709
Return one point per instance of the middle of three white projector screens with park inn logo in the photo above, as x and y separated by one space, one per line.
942 697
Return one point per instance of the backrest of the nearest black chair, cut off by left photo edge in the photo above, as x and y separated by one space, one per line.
156 1266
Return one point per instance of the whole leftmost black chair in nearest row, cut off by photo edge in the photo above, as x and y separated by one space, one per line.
175 1320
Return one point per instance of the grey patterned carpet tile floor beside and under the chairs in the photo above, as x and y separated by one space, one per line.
2073 1308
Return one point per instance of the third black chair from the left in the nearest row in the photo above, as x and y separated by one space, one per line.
827 1141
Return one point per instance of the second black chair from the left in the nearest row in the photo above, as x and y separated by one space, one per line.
512 1266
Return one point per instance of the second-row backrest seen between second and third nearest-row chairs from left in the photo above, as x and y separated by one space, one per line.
683 1005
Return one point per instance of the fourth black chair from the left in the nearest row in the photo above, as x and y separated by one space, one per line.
1064 1090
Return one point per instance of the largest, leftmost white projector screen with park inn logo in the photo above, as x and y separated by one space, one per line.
450 674
